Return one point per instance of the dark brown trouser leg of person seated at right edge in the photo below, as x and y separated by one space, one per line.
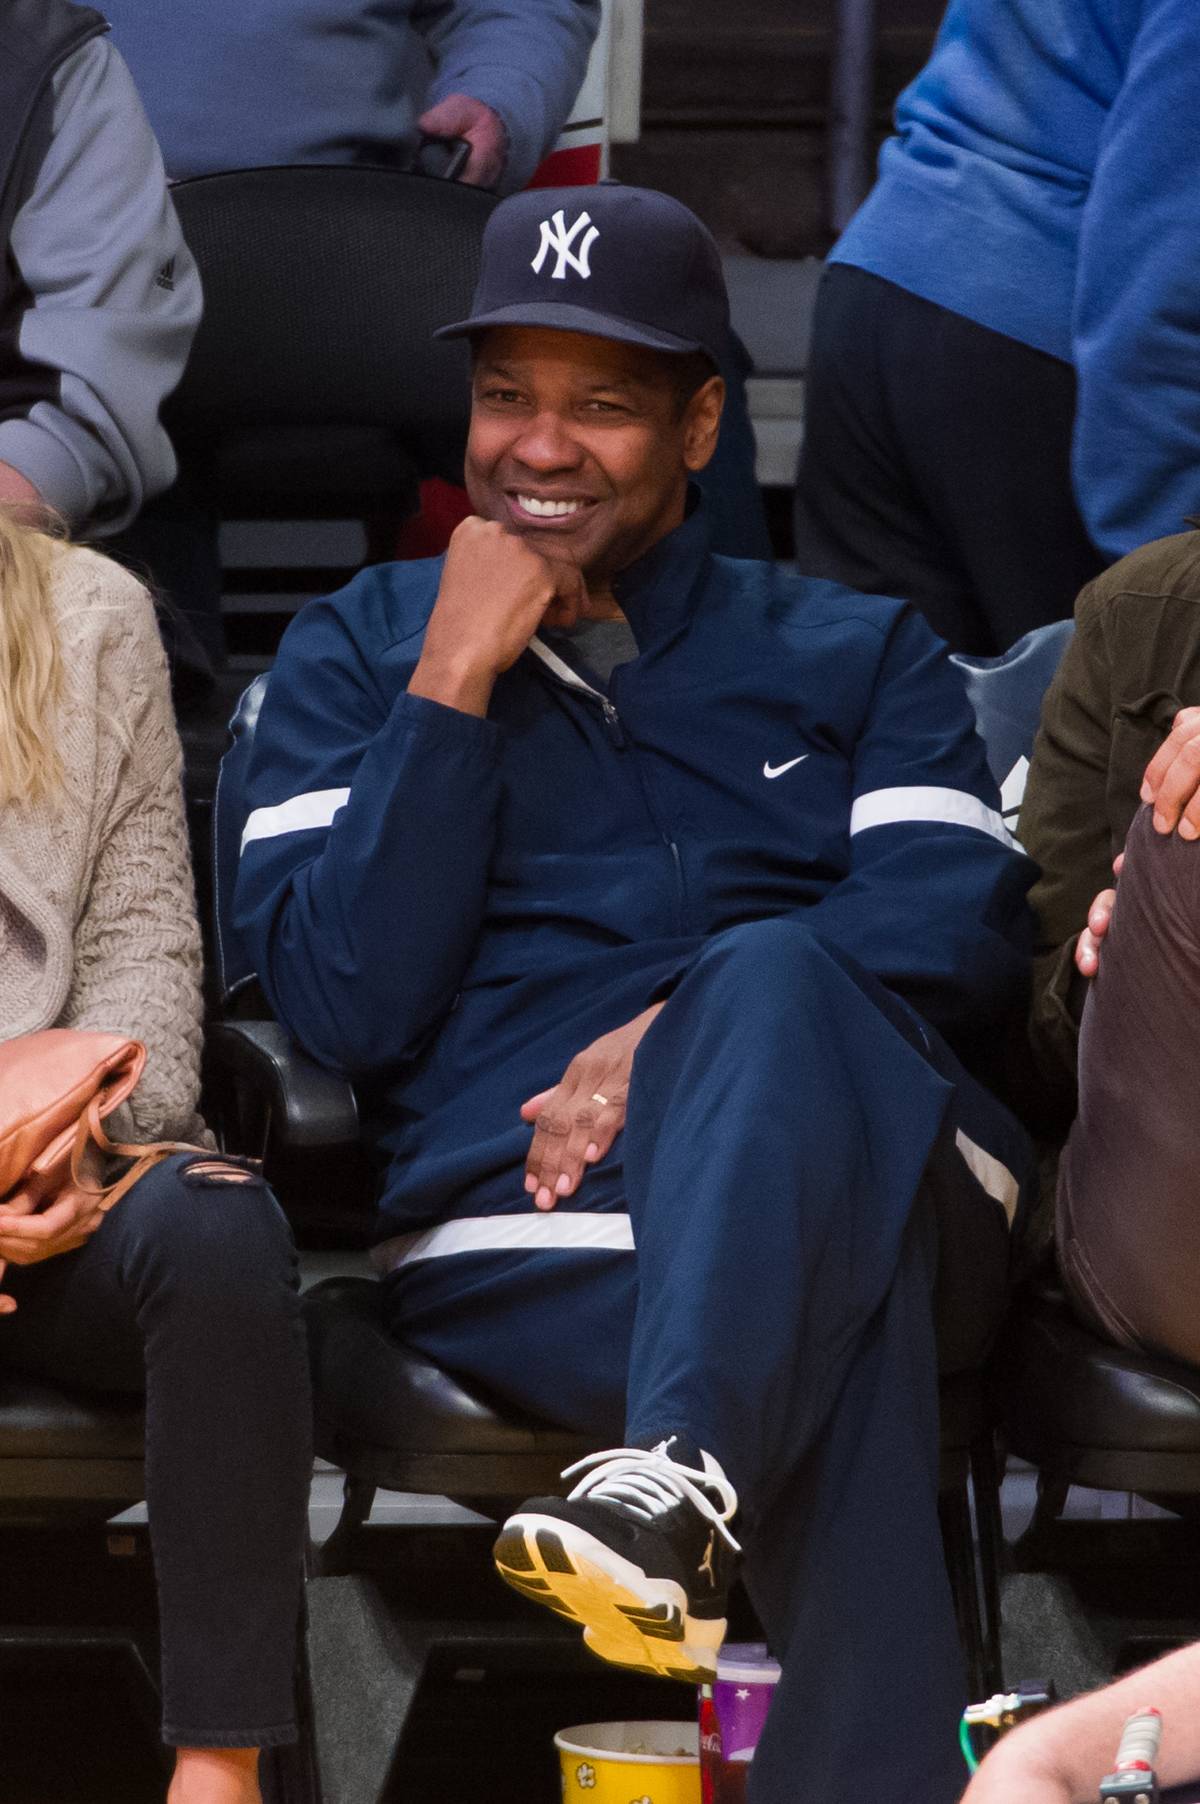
1129 1201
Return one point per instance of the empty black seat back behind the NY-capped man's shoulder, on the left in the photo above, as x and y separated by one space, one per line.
322 291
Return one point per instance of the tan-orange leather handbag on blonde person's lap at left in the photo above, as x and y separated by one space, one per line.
55 1091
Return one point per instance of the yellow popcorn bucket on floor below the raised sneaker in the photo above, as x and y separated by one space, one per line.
631 1763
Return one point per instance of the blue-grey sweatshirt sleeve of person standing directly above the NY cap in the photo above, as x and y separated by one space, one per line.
524 59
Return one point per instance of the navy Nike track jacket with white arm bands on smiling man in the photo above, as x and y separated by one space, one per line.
452 908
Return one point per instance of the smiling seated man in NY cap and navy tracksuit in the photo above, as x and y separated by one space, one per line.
649 892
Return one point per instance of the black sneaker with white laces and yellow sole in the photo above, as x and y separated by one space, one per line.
640 1554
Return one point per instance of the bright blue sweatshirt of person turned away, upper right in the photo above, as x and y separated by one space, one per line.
1046 181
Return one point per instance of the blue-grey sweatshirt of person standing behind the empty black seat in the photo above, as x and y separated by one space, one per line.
245 84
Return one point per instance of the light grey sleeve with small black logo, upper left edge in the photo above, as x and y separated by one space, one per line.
115 300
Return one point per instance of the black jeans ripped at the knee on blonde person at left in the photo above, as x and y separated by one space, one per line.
189 1293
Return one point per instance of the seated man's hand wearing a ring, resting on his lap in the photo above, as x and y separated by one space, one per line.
578 1119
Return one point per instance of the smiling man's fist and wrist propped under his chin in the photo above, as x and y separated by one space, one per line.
495 594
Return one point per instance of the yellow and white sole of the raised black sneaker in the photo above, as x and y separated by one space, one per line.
627 1617
